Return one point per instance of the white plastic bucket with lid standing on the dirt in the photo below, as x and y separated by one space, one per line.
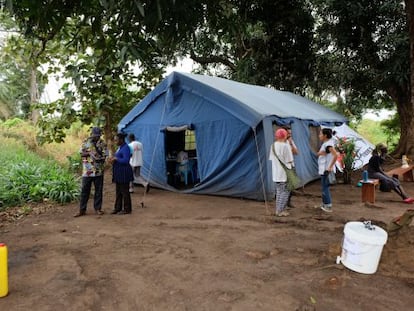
362 246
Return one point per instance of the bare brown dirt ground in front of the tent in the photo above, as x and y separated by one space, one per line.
193 252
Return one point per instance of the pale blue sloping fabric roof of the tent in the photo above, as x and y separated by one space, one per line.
249 103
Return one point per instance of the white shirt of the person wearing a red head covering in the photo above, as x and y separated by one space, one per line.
284 153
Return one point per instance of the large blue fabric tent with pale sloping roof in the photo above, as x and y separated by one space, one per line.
232 126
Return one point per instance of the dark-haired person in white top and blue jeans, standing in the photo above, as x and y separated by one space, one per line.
326 161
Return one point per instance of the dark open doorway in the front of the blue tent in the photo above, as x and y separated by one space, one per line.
181 157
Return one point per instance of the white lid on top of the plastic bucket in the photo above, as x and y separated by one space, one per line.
358 231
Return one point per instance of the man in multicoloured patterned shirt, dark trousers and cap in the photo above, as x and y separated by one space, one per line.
93 152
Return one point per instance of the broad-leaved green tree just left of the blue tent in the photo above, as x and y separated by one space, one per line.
104 86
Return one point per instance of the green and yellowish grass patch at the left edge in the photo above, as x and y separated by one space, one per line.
30 176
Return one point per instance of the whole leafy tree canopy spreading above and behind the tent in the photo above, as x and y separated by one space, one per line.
358 50
